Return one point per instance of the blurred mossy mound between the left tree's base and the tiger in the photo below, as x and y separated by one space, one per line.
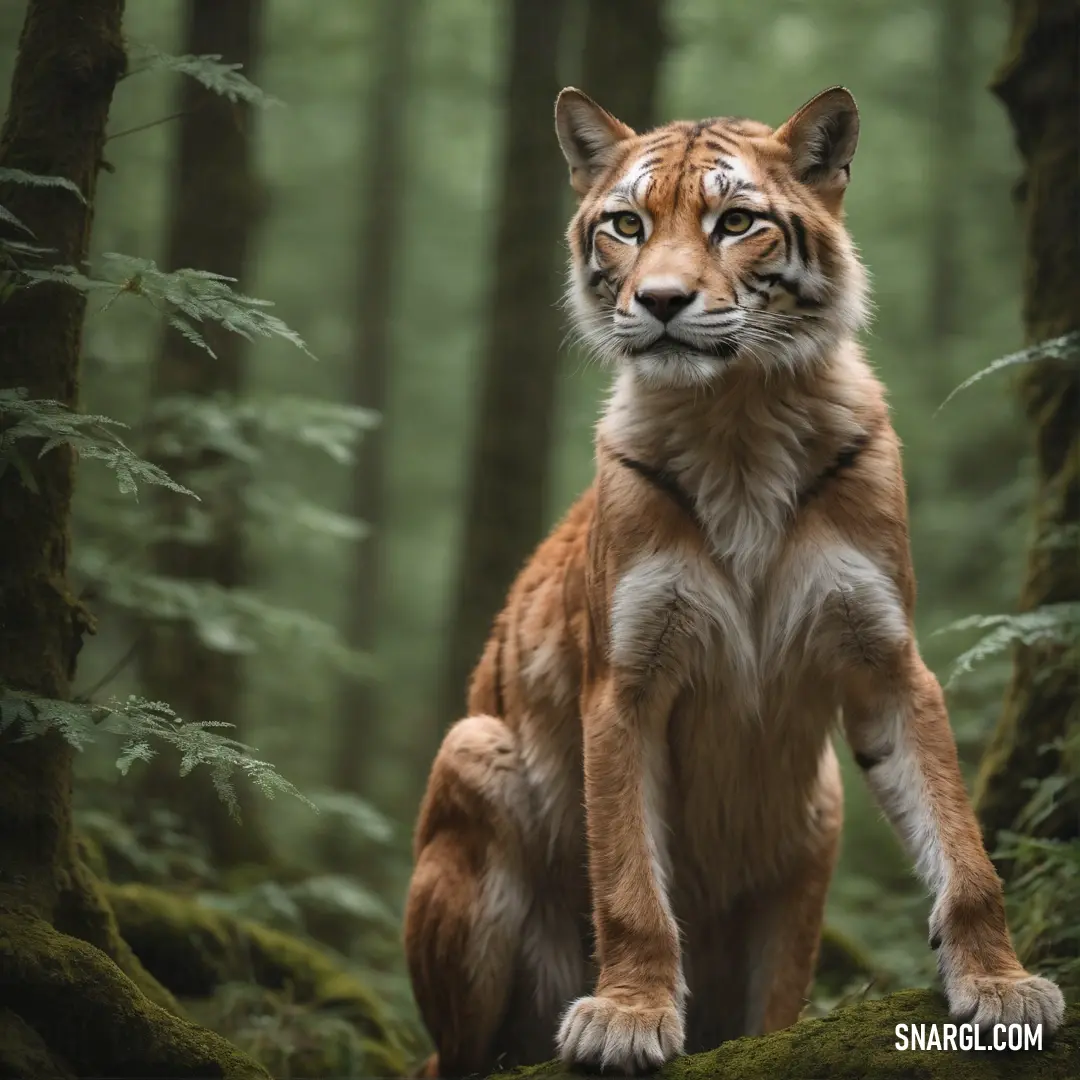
199 953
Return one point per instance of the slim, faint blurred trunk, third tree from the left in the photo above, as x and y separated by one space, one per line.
379 245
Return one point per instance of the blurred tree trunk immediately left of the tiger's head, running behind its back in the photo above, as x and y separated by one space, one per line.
509 465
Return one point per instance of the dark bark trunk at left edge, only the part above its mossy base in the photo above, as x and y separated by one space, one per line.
60 102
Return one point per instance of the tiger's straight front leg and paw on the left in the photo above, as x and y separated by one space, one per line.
634 1021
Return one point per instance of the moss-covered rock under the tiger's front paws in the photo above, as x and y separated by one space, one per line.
859 1044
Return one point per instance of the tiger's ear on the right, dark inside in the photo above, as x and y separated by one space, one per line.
822 138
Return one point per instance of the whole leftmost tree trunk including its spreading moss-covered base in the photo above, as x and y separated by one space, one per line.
66 1008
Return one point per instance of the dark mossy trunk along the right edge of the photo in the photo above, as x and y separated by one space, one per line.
1039 87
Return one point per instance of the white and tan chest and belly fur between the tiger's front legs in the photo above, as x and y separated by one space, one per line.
745 649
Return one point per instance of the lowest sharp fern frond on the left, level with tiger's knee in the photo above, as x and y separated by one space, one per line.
140 724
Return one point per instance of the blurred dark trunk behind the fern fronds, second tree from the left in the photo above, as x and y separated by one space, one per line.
215 210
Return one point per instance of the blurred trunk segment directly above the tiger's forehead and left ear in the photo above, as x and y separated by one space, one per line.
626 42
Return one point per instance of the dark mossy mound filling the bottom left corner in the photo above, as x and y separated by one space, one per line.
73 1011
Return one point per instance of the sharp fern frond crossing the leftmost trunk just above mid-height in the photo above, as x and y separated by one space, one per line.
92 437
